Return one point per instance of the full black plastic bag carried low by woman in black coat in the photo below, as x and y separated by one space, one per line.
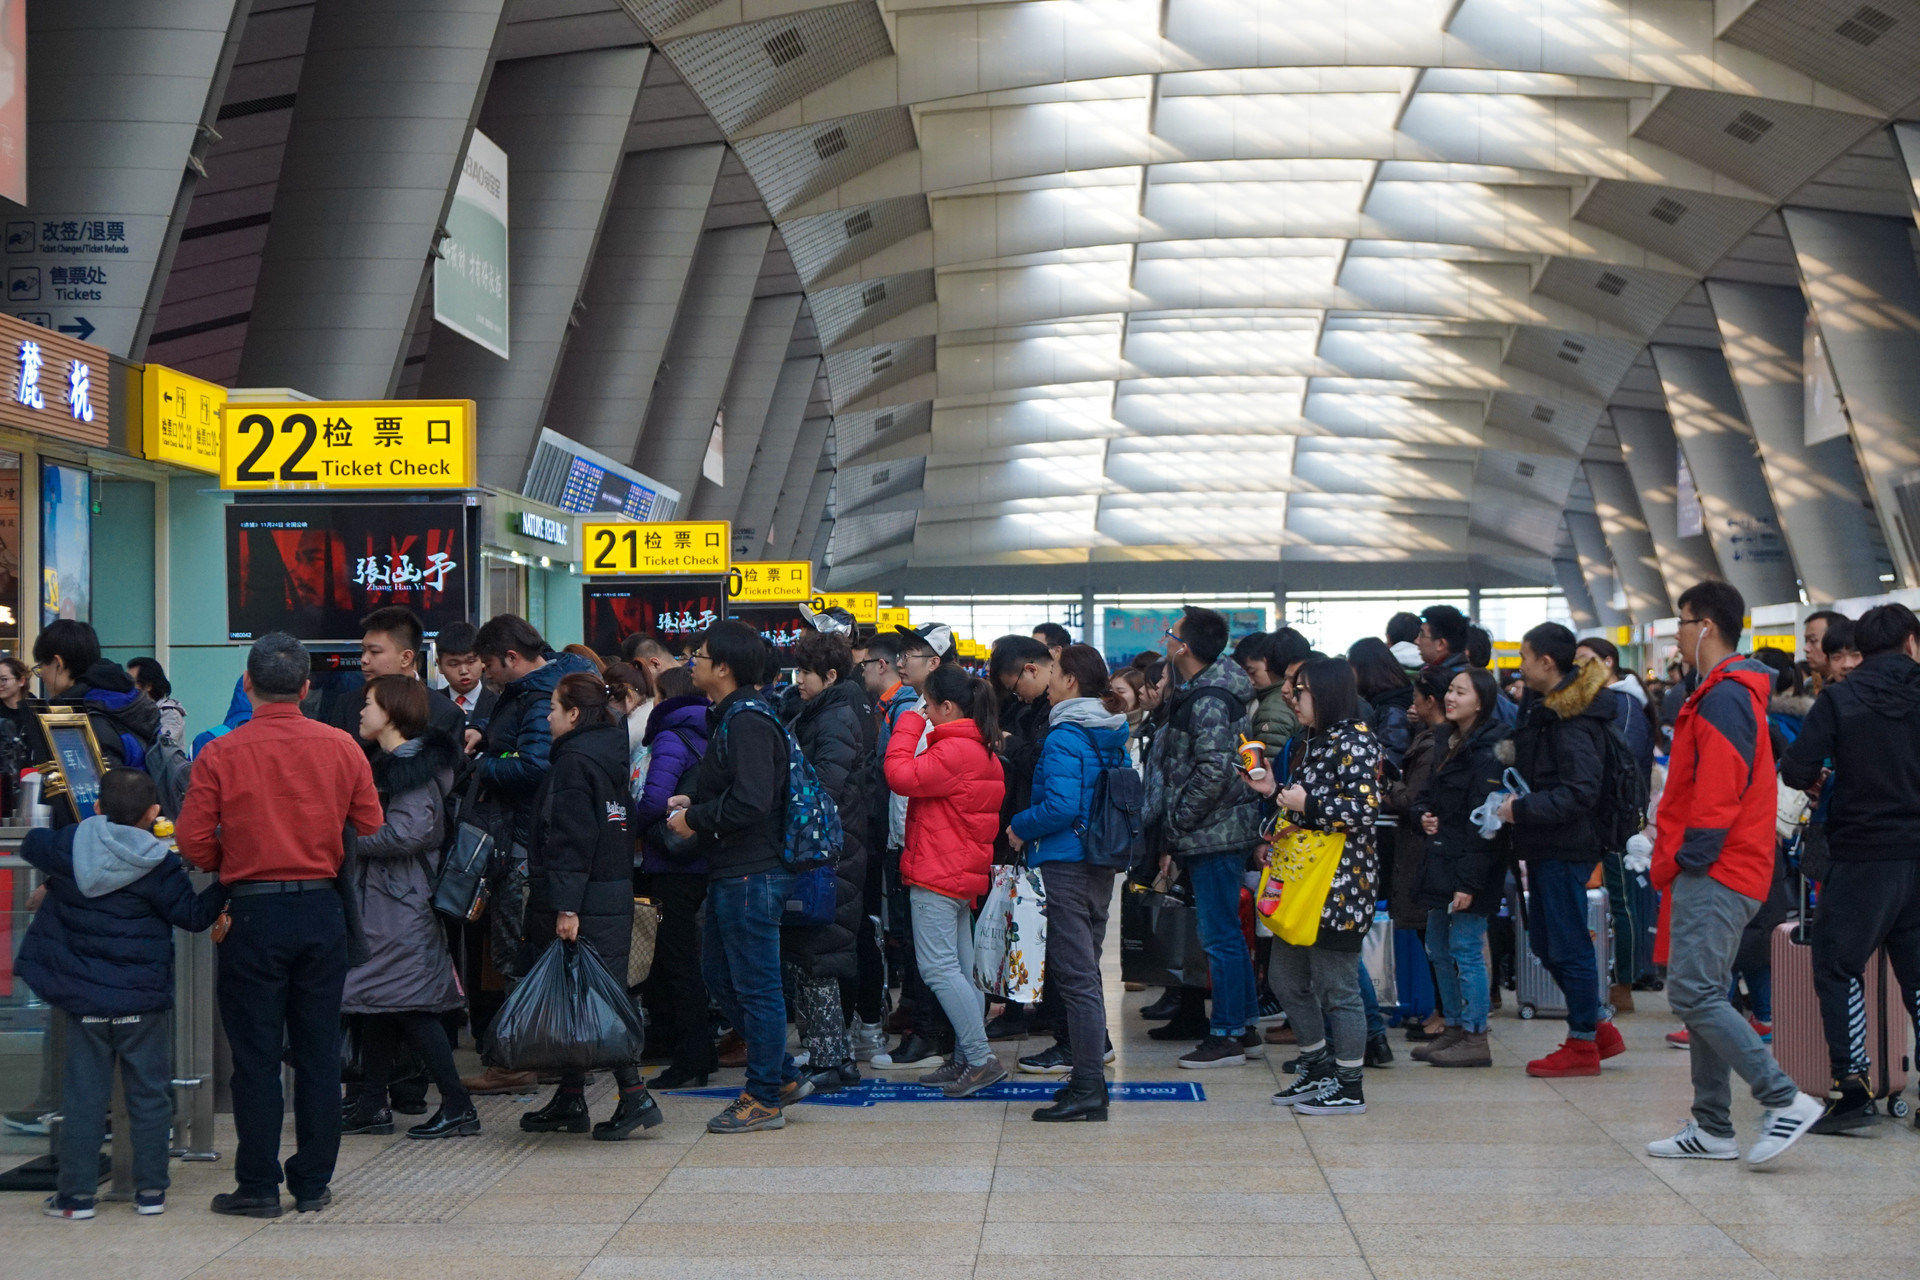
567 1014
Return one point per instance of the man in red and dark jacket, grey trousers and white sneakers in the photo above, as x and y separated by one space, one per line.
1714 865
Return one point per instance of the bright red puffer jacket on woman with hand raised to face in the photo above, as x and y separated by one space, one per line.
953 805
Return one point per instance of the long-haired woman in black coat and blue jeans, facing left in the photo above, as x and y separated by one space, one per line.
1464 872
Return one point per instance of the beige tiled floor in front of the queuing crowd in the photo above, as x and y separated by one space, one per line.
1483 1175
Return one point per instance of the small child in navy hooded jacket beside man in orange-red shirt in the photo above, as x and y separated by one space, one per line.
101 951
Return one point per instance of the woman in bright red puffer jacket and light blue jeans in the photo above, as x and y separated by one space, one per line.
953 813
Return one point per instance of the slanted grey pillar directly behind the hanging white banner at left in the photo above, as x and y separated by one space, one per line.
564 126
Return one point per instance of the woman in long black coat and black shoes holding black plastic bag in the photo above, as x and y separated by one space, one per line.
581 880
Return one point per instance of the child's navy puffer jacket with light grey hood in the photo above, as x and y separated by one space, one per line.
103 941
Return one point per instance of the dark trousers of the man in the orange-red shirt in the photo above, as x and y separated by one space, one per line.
281 972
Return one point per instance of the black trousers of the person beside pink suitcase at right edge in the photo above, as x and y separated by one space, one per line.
1863 907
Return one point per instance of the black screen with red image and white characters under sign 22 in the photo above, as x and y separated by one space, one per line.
316 571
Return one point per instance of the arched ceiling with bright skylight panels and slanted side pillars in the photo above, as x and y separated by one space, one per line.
1067 295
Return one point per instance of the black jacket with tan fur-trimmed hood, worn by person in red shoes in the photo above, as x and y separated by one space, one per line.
1560 749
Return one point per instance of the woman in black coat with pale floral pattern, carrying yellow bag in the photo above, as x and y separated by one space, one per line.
1333 786
